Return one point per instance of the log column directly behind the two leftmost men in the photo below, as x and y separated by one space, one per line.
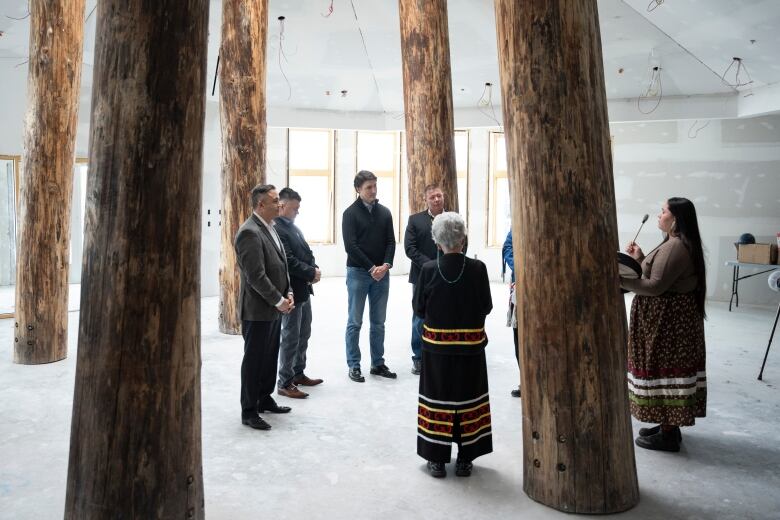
242 115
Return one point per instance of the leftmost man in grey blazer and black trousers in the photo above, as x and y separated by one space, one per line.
265 297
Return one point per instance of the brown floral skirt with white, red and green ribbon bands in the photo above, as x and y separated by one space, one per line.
667 382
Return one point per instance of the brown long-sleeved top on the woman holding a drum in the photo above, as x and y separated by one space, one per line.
667 268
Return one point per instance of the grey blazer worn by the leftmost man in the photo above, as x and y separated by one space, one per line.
264 278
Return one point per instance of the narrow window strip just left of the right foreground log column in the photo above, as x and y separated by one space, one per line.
499 214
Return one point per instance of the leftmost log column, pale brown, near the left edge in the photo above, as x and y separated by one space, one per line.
53 81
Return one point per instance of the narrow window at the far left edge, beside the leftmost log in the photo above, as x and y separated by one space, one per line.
9 192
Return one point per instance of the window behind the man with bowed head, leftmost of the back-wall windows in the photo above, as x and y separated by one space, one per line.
310 173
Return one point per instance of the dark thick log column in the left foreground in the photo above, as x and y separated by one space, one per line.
135 447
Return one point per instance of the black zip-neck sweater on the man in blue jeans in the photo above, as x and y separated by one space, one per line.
369 237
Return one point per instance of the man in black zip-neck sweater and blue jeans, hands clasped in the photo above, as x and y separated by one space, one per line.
369 239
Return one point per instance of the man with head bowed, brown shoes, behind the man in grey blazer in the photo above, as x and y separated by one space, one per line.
296 326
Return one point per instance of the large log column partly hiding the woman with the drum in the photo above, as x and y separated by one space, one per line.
577 441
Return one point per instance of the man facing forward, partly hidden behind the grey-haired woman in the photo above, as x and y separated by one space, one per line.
419 247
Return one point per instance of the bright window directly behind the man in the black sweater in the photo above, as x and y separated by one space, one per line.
380 153
